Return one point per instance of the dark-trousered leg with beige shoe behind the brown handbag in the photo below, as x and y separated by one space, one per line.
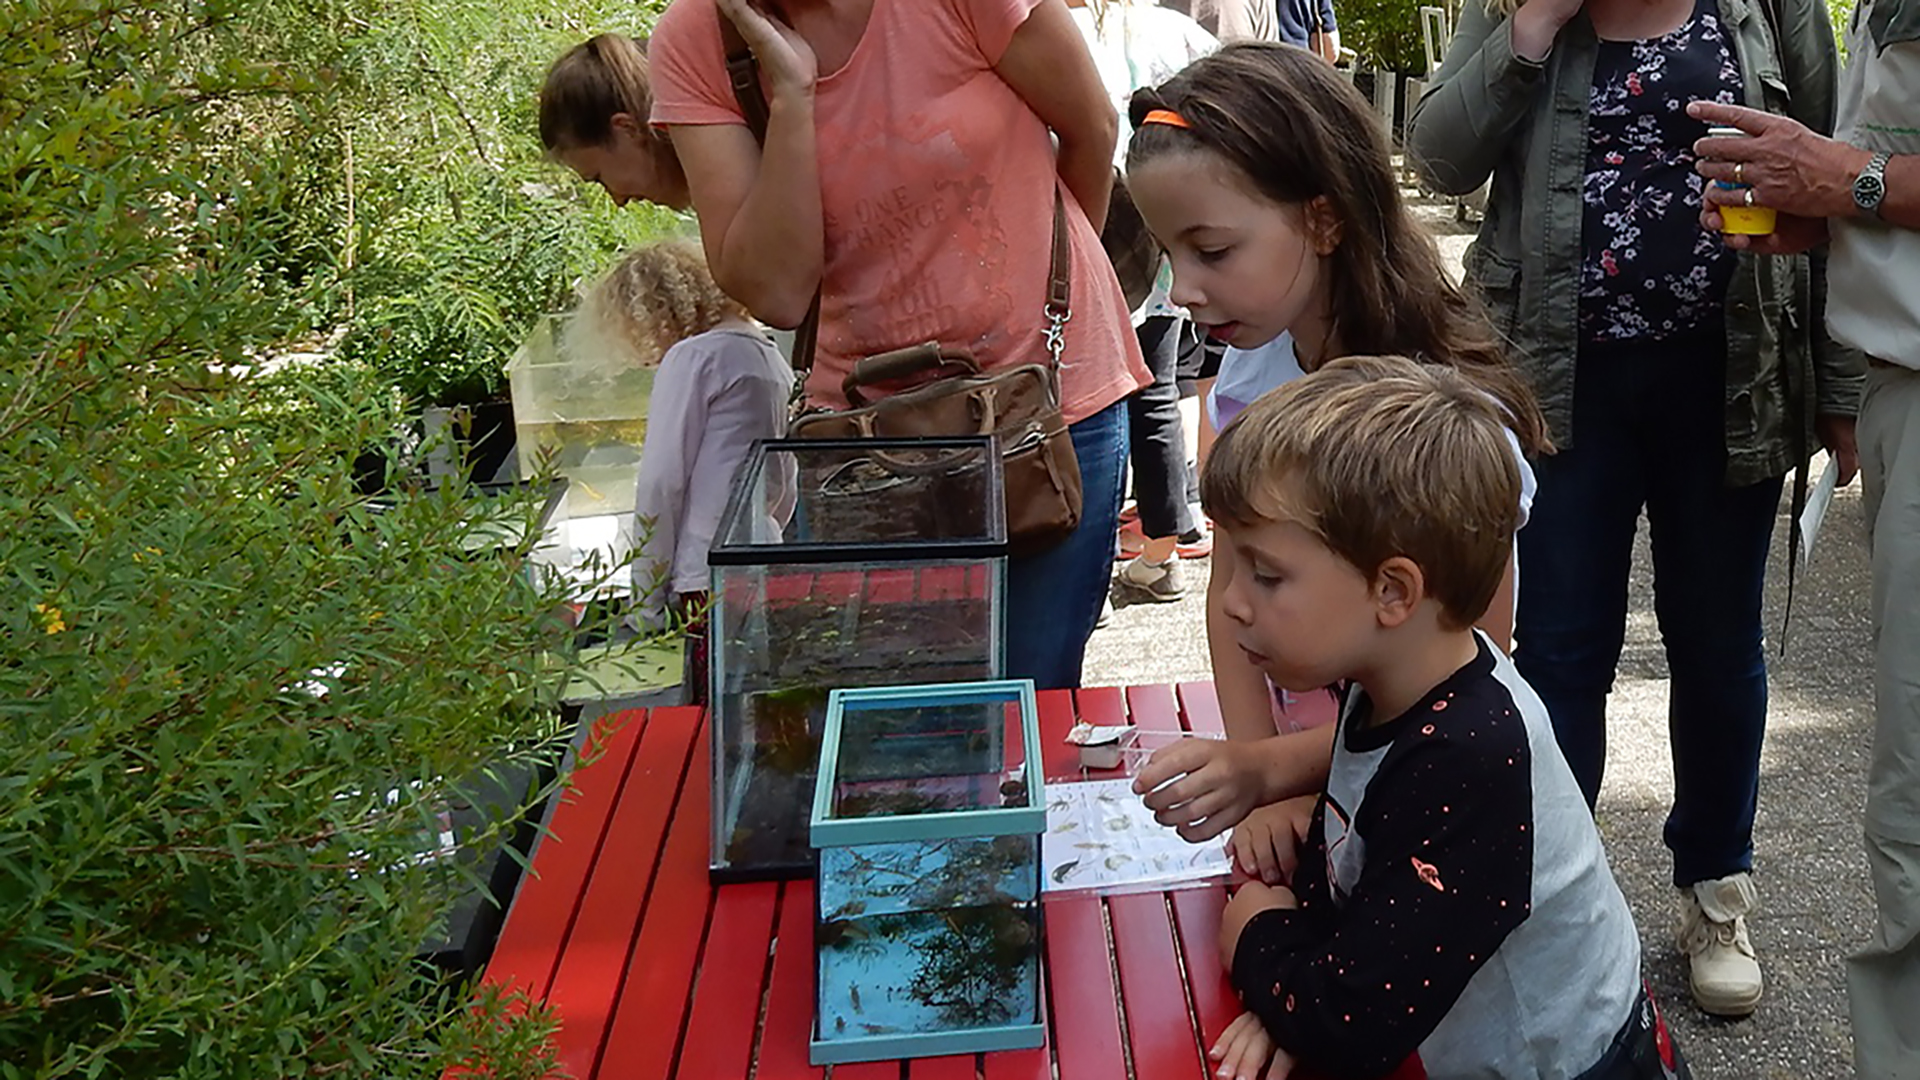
1159 453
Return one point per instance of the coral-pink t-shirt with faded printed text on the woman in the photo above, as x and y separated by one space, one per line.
938 193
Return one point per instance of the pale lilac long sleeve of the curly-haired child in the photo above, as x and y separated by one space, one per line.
677 420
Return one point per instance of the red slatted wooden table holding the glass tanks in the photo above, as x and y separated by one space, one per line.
656 973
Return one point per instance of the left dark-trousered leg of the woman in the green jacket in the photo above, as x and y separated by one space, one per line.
1579 549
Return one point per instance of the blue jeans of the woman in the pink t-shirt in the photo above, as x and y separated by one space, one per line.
1055 599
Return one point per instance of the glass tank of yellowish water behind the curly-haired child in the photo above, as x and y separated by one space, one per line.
585 408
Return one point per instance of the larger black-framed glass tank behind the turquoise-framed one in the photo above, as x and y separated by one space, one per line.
840 564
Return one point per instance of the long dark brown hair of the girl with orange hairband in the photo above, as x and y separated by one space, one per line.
1299 132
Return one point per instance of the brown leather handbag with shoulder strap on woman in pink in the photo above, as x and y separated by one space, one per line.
1020 405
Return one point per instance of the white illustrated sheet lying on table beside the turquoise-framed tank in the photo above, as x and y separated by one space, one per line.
1101 837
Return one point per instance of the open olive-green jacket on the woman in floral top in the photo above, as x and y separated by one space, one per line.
1489 114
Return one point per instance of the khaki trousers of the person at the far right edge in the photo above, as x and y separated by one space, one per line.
1884 977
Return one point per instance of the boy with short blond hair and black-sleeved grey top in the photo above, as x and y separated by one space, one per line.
1451 912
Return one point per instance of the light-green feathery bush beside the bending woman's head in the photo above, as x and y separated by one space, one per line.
462 235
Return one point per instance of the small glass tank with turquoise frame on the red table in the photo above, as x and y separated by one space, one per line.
928 818
